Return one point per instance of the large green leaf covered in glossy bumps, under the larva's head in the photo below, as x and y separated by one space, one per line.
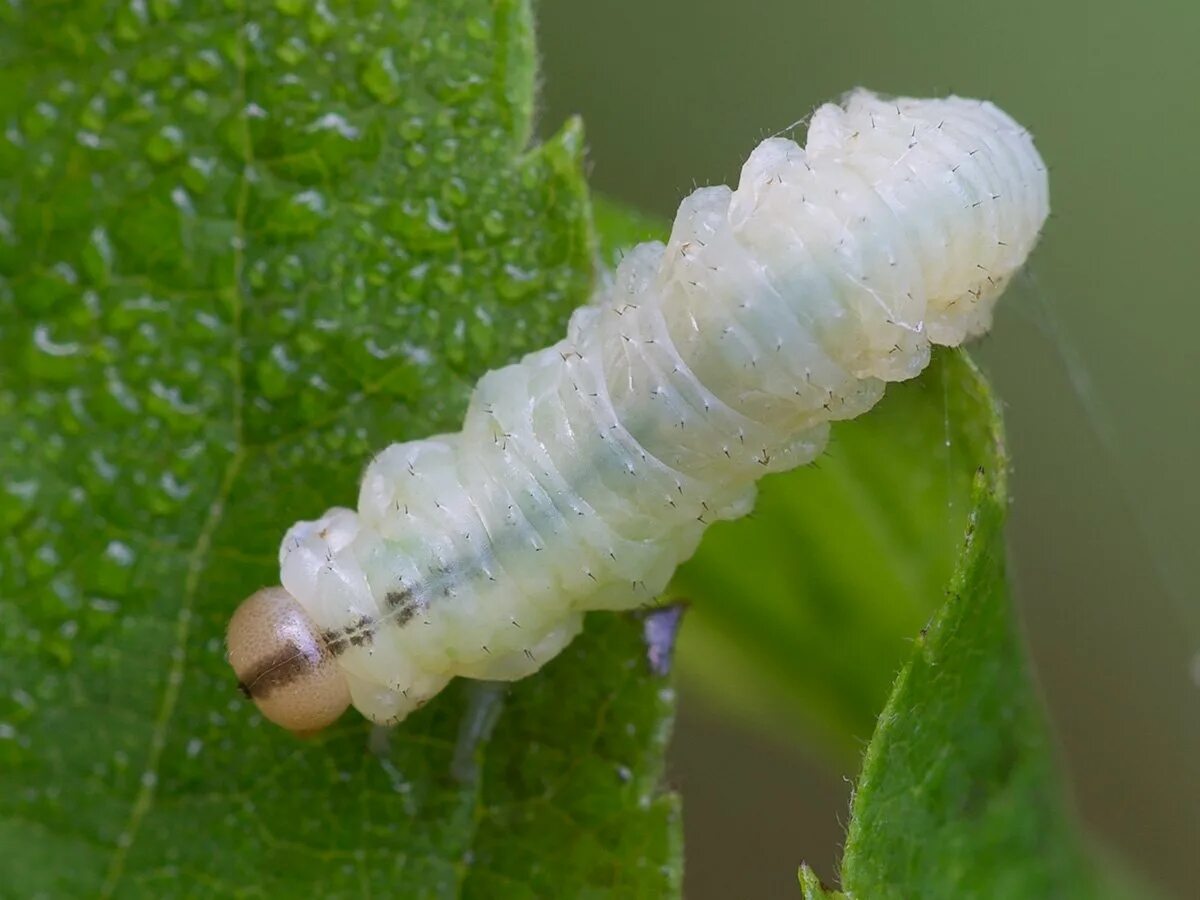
242 249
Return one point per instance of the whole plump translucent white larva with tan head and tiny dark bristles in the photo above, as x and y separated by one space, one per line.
589 471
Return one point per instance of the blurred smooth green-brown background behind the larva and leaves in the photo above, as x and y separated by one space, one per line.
1094 355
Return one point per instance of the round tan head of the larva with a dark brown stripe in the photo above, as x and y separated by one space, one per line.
284 664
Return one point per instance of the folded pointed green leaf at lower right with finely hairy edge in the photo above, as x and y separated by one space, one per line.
958 795
